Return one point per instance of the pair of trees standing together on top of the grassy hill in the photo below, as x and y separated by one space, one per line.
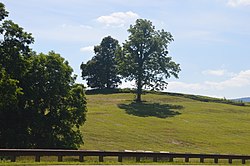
142 58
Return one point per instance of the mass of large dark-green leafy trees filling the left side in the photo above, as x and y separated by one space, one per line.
41 106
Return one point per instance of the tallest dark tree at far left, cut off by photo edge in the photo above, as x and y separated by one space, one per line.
14 54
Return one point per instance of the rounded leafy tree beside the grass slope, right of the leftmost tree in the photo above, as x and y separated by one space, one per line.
56 105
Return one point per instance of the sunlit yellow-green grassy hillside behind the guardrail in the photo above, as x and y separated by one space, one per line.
166 122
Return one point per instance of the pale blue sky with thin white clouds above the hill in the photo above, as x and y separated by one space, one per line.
212 37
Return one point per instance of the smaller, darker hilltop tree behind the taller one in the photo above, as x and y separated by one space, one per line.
101 71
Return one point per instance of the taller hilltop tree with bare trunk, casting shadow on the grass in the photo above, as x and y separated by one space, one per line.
145 57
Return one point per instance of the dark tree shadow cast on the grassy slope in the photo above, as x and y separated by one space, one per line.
151 109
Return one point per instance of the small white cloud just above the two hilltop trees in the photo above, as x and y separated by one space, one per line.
118 18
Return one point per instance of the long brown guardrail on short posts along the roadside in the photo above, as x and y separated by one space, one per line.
38 153
